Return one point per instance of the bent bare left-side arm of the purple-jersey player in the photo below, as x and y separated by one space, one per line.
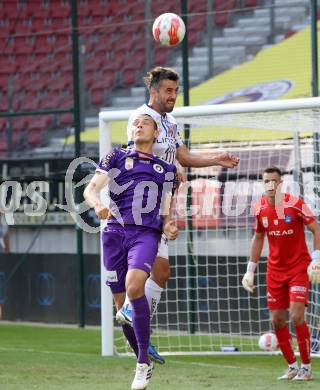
91 194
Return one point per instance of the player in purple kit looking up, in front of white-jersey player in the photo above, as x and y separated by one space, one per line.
141 187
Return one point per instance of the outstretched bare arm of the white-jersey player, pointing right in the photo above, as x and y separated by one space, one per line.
189 159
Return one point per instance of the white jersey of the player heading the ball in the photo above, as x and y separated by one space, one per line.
168 140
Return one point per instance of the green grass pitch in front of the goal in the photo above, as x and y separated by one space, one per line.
58 358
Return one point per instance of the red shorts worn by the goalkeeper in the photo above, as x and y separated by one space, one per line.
281 290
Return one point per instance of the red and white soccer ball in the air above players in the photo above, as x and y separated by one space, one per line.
168 29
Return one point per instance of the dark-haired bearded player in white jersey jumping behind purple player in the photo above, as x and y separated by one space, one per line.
163 86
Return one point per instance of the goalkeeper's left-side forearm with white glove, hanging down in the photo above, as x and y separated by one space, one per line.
255 253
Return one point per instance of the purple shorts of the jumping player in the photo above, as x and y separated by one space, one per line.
126 248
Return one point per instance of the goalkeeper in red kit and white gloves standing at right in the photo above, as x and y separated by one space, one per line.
282 217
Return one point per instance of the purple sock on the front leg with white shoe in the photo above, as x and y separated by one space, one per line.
141 326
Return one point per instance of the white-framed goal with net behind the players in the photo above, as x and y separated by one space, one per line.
204 308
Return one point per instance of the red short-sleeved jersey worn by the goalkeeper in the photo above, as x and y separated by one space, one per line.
284 226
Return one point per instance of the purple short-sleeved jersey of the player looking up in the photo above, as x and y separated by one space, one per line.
139 183
